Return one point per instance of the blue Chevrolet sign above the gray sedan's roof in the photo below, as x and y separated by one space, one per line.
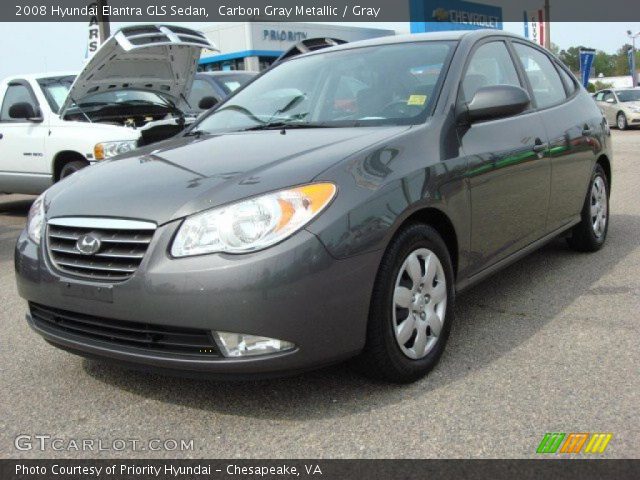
441 15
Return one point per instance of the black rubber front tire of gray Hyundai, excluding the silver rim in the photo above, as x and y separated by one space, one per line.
382 357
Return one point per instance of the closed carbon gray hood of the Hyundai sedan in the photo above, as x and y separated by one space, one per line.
185 175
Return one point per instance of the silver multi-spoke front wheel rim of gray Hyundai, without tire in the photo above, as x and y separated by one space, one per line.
419 303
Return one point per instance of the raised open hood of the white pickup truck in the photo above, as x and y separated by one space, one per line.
159 58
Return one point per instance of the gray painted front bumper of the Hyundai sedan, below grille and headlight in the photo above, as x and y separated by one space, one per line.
294 291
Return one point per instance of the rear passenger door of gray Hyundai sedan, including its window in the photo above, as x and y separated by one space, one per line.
572 123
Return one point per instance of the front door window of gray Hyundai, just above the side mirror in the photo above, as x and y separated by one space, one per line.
490 65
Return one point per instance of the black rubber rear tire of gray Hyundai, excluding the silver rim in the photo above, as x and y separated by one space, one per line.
583 237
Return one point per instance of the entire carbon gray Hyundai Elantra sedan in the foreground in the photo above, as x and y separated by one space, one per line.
332 208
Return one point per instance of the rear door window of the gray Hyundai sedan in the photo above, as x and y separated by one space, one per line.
547 86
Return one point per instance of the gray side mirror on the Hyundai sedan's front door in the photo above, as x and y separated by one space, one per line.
496 101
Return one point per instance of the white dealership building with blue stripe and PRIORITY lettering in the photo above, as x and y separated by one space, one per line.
254 46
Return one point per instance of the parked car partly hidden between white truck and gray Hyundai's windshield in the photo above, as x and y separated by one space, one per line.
213 87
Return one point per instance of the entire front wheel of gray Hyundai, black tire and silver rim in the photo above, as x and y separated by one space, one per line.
411 308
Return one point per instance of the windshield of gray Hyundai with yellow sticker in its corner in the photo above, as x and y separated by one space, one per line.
380 85
